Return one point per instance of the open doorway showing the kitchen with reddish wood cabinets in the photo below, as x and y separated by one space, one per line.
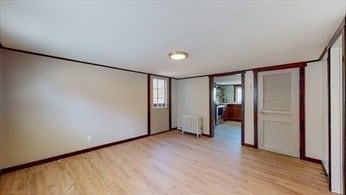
227 107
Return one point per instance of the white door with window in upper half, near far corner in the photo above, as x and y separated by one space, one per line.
159 112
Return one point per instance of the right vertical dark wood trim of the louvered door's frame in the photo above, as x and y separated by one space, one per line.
302 113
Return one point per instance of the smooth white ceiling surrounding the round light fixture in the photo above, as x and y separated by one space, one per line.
220 36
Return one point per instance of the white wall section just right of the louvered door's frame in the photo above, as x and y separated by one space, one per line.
316 111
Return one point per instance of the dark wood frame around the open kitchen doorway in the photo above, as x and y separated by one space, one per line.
212 104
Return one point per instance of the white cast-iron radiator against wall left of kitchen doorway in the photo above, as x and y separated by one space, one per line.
191 124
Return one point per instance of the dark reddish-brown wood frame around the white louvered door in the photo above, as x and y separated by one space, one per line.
301 66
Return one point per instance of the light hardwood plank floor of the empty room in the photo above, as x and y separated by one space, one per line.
171 163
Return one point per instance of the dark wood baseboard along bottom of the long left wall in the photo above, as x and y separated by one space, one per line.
55 158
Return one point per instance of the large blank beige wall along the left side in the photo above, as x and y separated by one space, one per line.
52 106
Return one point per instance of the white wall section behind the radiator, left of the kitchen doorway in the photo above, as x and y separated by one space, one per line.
193 98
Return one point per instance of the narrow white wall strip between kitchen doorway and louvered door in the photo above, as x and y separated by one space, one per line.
249 108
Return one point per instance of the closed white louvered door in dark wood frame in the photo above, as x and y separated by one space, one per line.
278 111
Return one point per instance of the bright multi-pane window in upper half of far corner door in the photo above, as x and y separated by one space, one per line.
159 93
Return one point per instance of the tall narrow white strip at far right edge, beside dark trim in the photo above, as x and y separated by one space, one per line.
336 98
